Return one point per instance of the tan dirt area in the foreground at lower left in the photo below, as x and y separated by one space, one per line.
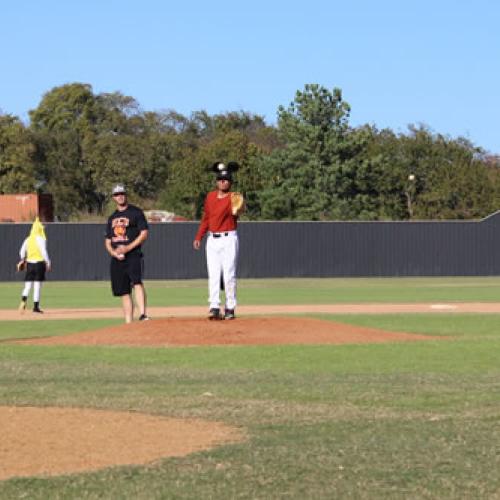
54 441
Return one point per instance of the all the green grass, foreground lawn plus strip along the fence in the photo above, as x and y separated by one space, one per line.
416 420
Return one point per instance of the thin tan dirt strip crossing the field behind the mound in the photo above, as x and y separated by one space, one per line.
163 312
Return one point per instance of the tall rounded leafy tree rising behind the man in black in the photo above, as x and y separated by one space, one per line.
89 142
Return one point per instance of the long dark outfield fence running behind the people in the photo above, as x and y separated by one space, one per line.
280 249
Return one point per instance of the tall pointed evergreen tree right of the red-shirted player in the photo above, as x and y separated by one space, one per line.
315 176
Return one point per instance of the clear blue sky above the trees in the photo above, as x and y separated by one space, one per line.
397 63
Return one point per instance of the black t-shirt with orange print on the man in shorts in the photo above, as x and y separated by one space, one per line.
124 227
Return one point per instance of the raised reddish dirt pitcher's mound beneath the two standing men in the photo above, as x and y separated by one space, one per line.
242 331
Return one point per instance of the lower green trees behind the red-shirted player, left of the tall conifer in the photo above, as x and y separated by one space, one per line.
202 140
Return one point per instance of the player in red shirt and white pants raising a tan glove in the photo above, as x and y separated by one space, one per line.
220 215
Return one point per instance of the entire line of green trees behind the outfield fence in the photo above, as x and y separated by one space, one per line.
311 165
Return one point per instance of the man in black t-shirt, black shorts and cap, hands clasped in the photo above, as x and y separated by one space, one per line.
126 231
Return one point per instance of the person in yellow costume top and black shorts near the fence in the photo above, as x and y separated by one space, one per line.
34 257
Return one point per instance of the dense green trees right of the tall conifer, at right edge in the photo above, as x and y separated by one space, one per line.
450 177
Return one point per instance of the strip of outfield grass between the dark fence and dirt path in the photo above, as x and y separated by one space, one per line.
272 291
